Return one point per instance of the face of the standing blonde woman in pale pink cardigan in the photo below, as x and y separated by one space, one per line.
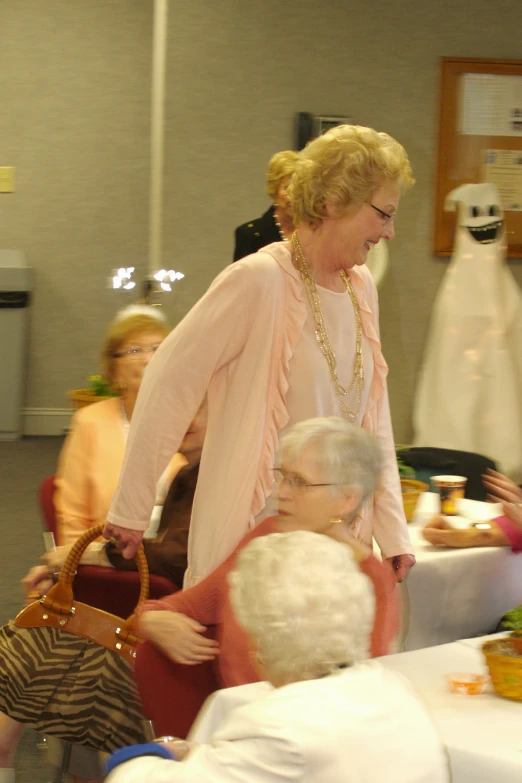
352 236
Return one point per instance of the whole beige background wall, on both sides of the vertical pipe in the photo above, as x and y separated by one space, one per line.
75 79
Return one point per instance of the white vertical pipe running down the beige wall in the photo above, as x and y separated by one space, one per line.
157 133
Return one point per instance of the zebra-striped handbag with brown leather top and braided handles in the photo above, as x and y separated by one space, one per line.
66 667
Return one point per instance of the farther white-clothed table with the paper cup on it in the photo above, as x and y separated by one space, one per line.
455 593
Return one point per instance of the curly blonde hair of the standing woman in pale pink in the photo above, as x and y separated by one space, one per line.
344 167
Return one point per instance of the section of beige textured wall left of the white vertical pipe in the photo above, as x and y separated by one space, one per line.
75 86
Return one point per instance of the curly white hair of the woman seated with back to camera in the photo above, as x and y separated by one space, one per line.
303 599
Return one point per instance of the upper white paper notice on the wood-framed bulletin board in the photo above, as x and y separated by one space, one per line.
490 105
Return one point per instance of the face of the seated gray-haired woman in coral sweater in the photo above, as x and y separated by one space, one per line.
304 506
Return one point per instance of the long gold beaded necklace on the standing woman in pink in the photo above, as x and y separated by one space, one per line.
322 335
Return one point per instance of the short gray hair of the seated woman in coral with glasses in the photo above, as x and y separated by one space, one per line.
348 455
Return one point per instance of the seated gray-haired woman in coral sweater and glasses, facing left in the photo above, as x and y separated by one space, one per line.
328 470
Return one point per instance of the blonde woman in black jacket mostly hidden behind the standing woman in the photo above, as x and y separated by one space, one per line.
277 222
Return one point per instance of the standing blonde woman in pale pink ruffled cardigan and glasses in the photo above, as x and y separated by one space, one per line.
284 335
